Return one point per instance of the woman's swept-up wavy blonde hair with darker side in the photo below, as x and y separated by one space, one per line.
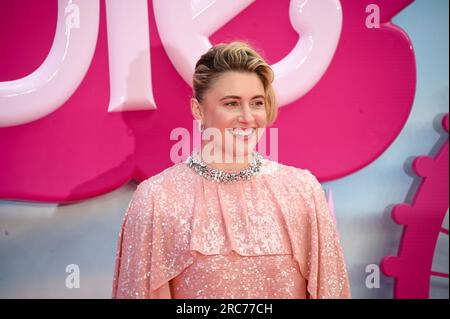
234 56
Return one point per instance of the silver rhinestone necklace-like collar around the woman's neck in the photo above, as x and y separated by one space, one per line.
217 175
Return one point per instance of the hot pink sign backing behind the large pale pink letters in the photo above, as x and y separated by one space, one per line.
81 150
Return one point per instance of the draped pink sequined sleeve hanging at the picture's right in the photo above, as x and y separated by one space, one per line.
326 271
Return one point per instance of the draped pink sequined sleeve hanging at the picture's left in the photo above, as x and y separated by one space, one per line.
134 252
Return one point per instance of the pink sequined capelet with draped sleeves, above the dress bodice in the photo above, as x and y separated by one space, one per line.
176 215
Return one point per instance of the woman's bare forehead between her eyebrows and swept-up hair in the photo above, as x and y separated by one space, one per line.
243 84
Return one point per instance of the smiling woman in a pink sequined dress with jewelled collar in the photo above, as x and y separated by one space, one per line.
245 228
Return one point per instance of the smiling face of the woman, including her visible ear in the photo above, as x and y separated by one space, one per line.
235 106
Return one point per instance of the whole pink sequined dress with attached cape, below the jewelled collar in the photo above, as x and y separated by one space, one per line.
271 236
